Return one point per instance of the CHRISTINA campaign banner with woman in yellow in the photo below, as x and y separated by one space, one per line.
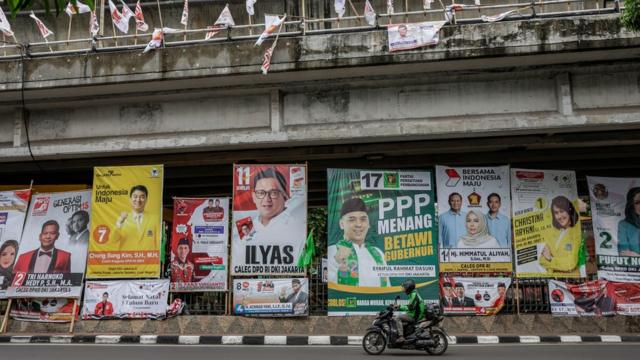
547 234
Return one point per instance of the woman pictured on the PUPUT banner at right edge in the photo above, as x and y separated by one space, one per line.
629 227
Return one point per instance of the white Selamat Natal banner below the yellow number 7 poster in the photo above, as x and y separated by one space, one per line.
125 299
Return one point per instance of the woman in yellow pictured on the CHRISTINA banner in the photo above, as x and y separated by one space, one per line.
562 243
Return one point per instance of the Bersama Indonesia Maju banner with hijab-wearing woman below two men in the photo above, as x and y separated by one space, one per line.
474 222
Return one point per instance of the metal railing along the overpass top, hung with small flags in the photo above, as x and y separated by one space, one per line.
304 25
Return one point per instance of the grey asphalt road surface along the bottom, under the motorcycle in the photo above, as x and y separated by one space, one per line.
193 352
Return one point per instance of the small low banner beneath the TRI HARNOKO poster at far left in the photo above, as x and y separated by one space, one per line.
59 310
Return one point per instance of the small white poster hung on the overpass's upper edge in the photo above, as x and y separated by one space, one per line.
412 36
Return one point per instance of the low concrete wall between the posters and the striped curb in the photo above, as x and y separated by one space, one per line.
540 324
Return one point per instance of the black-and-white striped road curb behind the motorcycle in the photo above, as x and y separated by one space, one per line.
298 340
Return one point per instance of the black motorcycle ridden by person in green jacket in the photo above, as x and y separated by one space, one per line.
425 335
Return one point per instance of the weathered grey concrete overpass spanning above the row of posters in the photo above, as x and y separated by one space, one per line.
555 92
